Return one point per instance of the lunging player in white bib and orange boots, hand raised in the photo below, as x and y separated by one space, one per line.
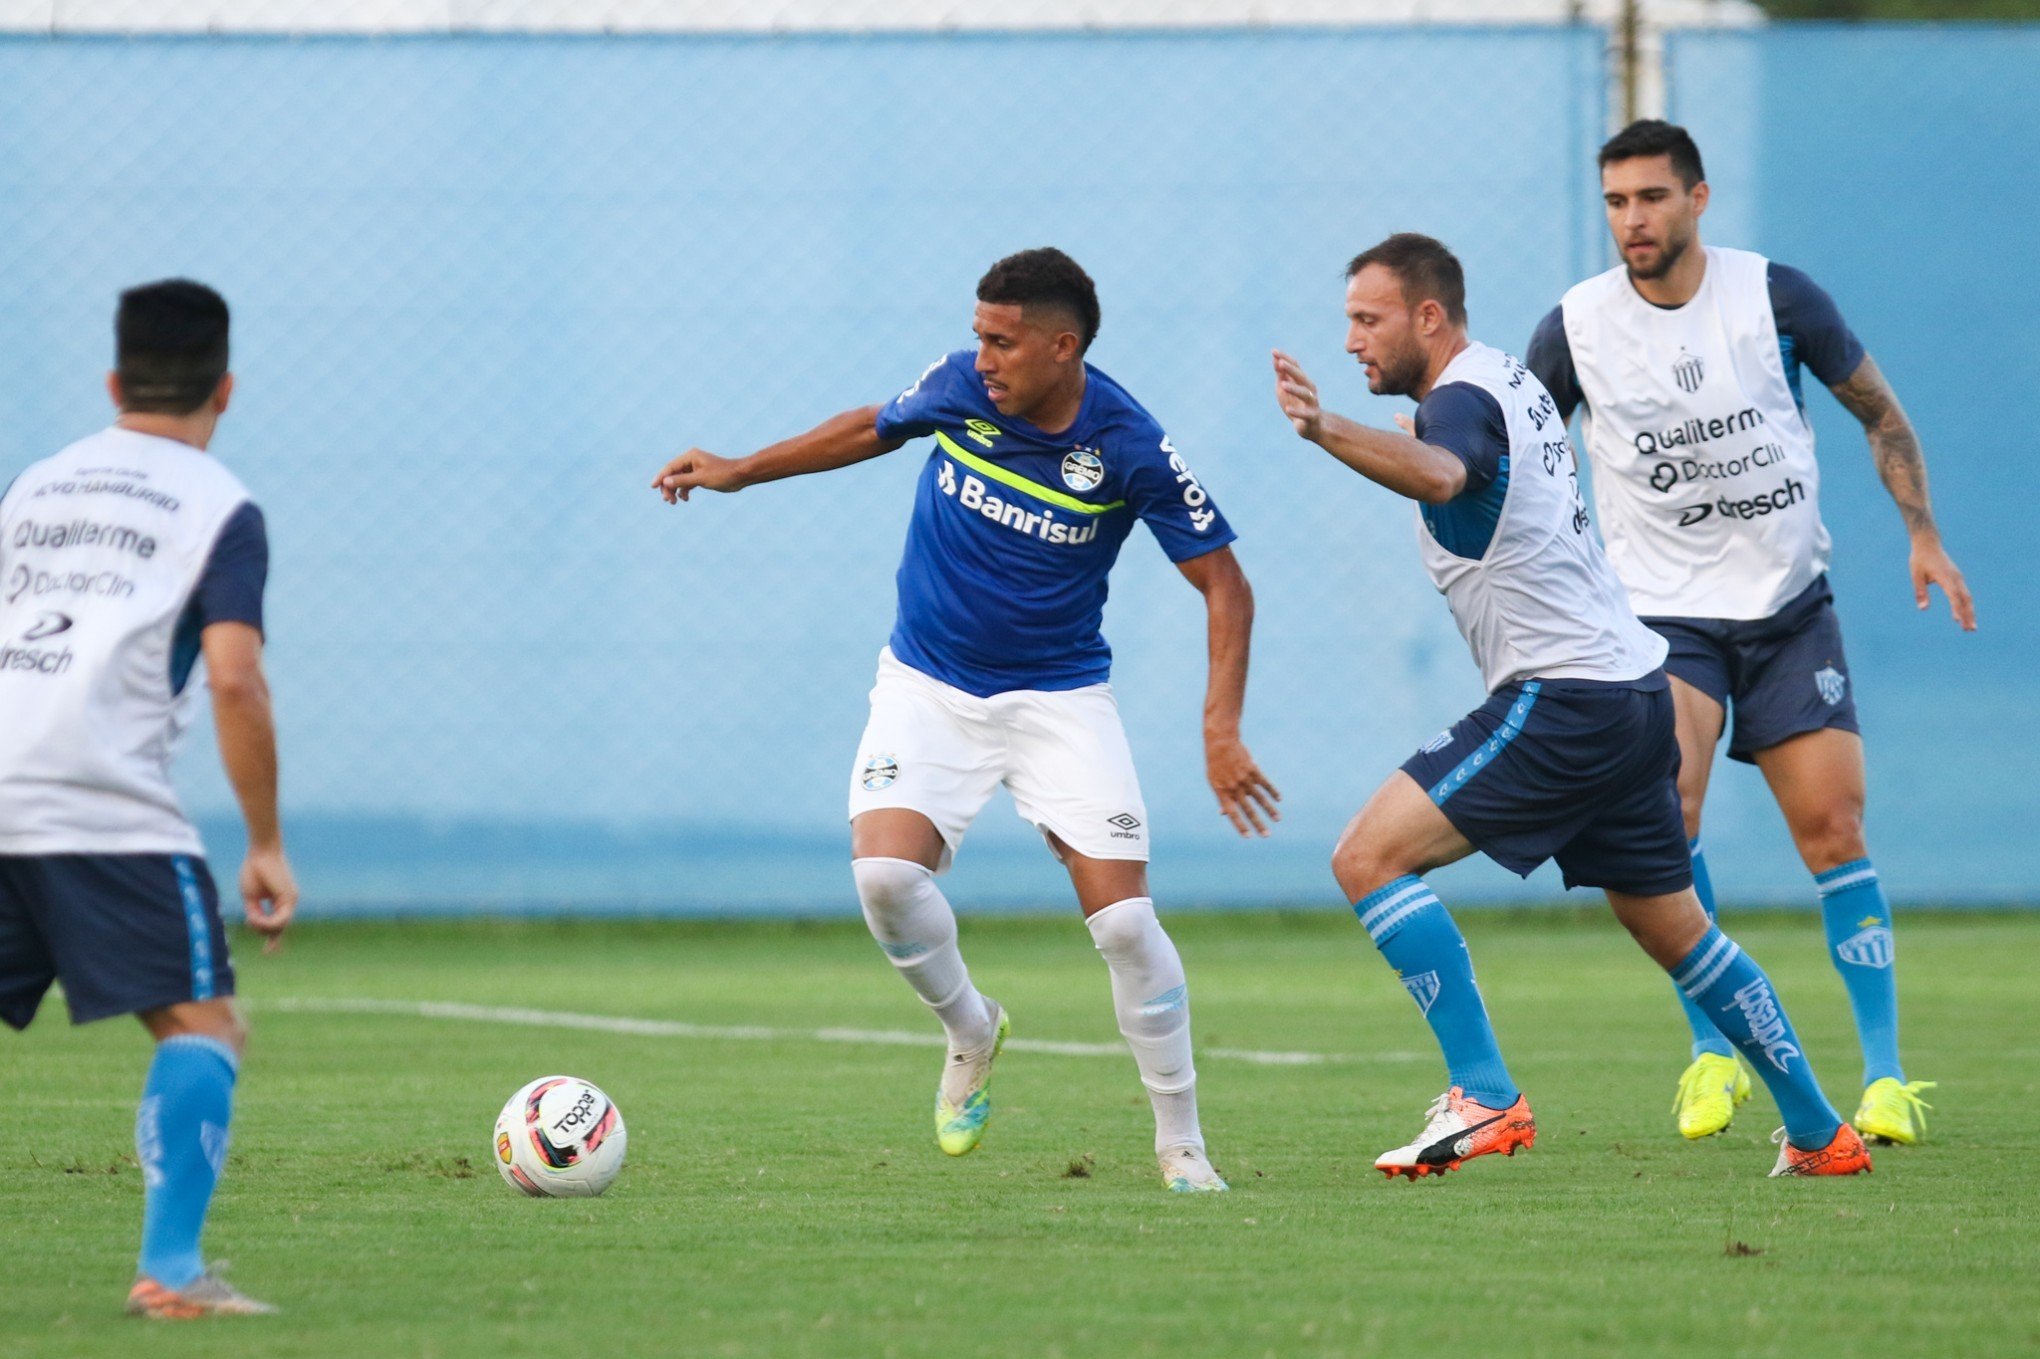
1574 754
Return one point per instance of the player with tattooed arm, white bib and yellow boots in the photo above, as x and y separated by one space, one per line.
1688 364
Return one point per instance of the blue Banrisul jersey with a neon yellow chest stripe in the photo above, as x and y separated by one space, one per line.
1003 585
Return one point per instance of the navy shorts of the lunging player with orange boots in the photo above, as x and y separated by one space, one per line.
1574 770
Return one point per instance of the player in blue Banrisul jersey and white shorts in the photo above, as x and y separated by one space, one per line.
997 670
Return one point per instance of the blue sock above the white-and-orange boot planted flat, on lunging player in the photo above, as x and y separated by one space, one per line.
1415 934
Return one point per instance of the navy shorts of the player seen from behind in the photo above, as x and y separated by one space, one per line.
121 932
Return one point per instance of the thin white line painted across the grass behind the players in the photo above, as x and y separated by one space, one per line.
754 1034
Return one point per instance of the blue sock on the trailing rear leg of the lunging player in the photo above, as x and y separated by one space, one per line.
1735 991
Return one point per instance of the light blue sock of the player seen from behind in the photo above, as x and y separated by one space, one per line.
181 1136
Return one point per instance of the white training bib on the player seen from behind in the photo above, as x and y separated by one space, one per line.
101 550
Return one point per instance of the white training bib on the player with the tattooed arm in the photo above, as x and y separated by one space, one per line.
1704 476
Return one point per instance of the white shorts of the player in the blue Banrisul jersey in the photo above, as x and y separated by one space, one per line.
1062 754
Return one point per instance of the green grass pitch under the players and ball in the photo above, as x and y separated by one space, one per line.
786 1199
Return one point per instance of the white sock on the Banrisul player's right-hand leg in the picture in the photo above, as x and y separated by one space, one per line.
1154 1009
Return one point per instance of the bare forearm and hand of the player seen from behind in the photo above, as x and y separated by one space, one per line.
248 748
